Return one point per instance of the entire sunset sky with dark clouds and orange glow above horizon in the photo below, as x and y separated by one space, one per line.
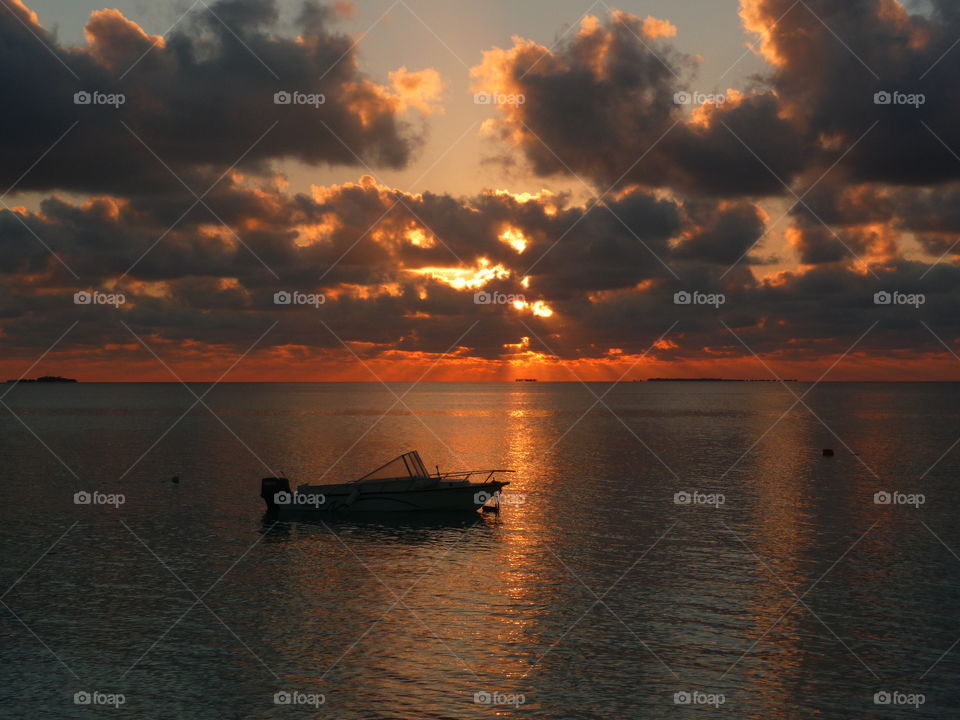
560 190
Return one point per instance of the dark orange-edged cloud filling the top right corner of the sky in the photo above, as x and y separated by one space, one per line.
834 62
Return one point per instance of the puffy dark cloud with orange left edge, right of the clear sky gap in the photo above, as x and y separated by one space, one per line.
605 98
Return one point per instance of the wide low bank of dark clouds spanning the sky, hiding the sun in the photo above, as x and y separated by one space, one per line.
387 287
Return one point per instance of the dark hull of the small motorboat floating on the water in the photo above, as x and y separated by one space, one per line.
318 502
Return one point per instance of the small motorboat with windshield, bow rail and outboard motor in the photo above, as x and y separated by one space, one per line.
401 485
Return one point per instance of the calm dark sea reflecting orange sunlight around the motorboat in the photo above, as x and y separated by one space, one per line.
673 550
